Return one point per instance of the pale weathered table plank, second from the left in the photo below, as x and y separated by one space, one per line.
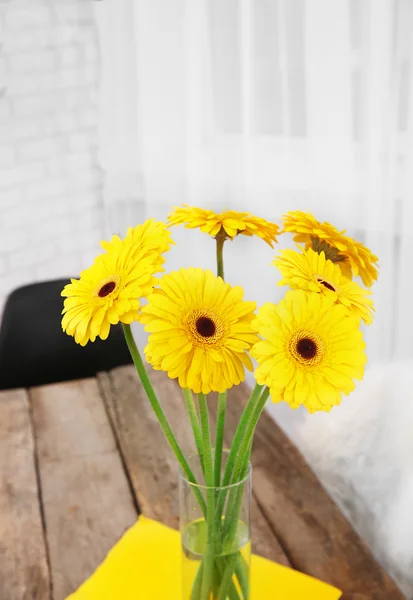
86 496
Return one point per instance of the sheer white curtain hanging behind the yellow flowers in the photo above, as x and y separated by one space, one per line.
267 106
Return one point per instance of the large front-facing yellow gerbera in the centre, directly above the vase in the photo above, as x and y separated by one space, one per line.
200 330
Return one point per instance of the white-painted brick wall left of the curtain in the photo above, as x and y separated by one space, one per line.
50 183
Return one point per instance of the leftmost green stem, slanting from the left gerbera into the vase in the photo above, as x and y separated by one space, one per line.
160 415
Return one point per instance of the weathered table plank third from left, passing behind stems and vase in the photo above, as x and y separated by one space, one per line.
151 464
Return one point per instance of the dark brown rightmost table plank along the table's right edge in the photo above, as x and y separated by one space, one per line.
316 536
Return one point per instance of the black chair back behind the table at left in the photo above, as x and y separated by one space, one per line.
35 351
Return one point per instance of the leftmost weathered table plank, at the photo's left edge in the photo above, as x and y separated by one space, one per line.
24 573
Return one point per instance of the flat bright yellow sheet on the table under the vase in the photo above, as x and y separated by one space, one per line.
146 565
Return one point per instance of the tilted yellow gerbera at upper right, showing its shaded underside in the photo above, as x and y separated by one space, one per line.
353 257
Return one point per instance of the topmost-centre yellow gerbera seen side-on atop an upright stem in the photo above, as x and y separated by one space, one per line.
228 223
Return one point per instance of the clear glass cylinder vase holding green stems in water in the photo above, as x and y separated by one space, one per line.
215 536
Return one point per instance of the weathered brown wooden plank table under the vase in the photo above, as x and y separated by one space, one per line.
80 460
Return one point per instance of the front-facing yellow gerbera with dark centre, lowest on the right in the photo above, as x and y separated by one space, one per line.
311 350
